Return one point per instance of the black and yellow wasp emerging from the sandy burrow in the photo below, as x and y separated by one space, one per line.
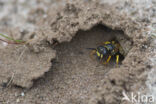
106 50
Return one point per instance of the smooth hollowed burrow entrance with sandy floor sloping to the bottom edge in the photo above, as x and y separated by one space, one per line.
74 75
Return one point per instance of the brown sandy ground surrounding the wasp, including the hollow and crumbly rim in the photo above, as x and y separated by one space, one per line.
65 74
